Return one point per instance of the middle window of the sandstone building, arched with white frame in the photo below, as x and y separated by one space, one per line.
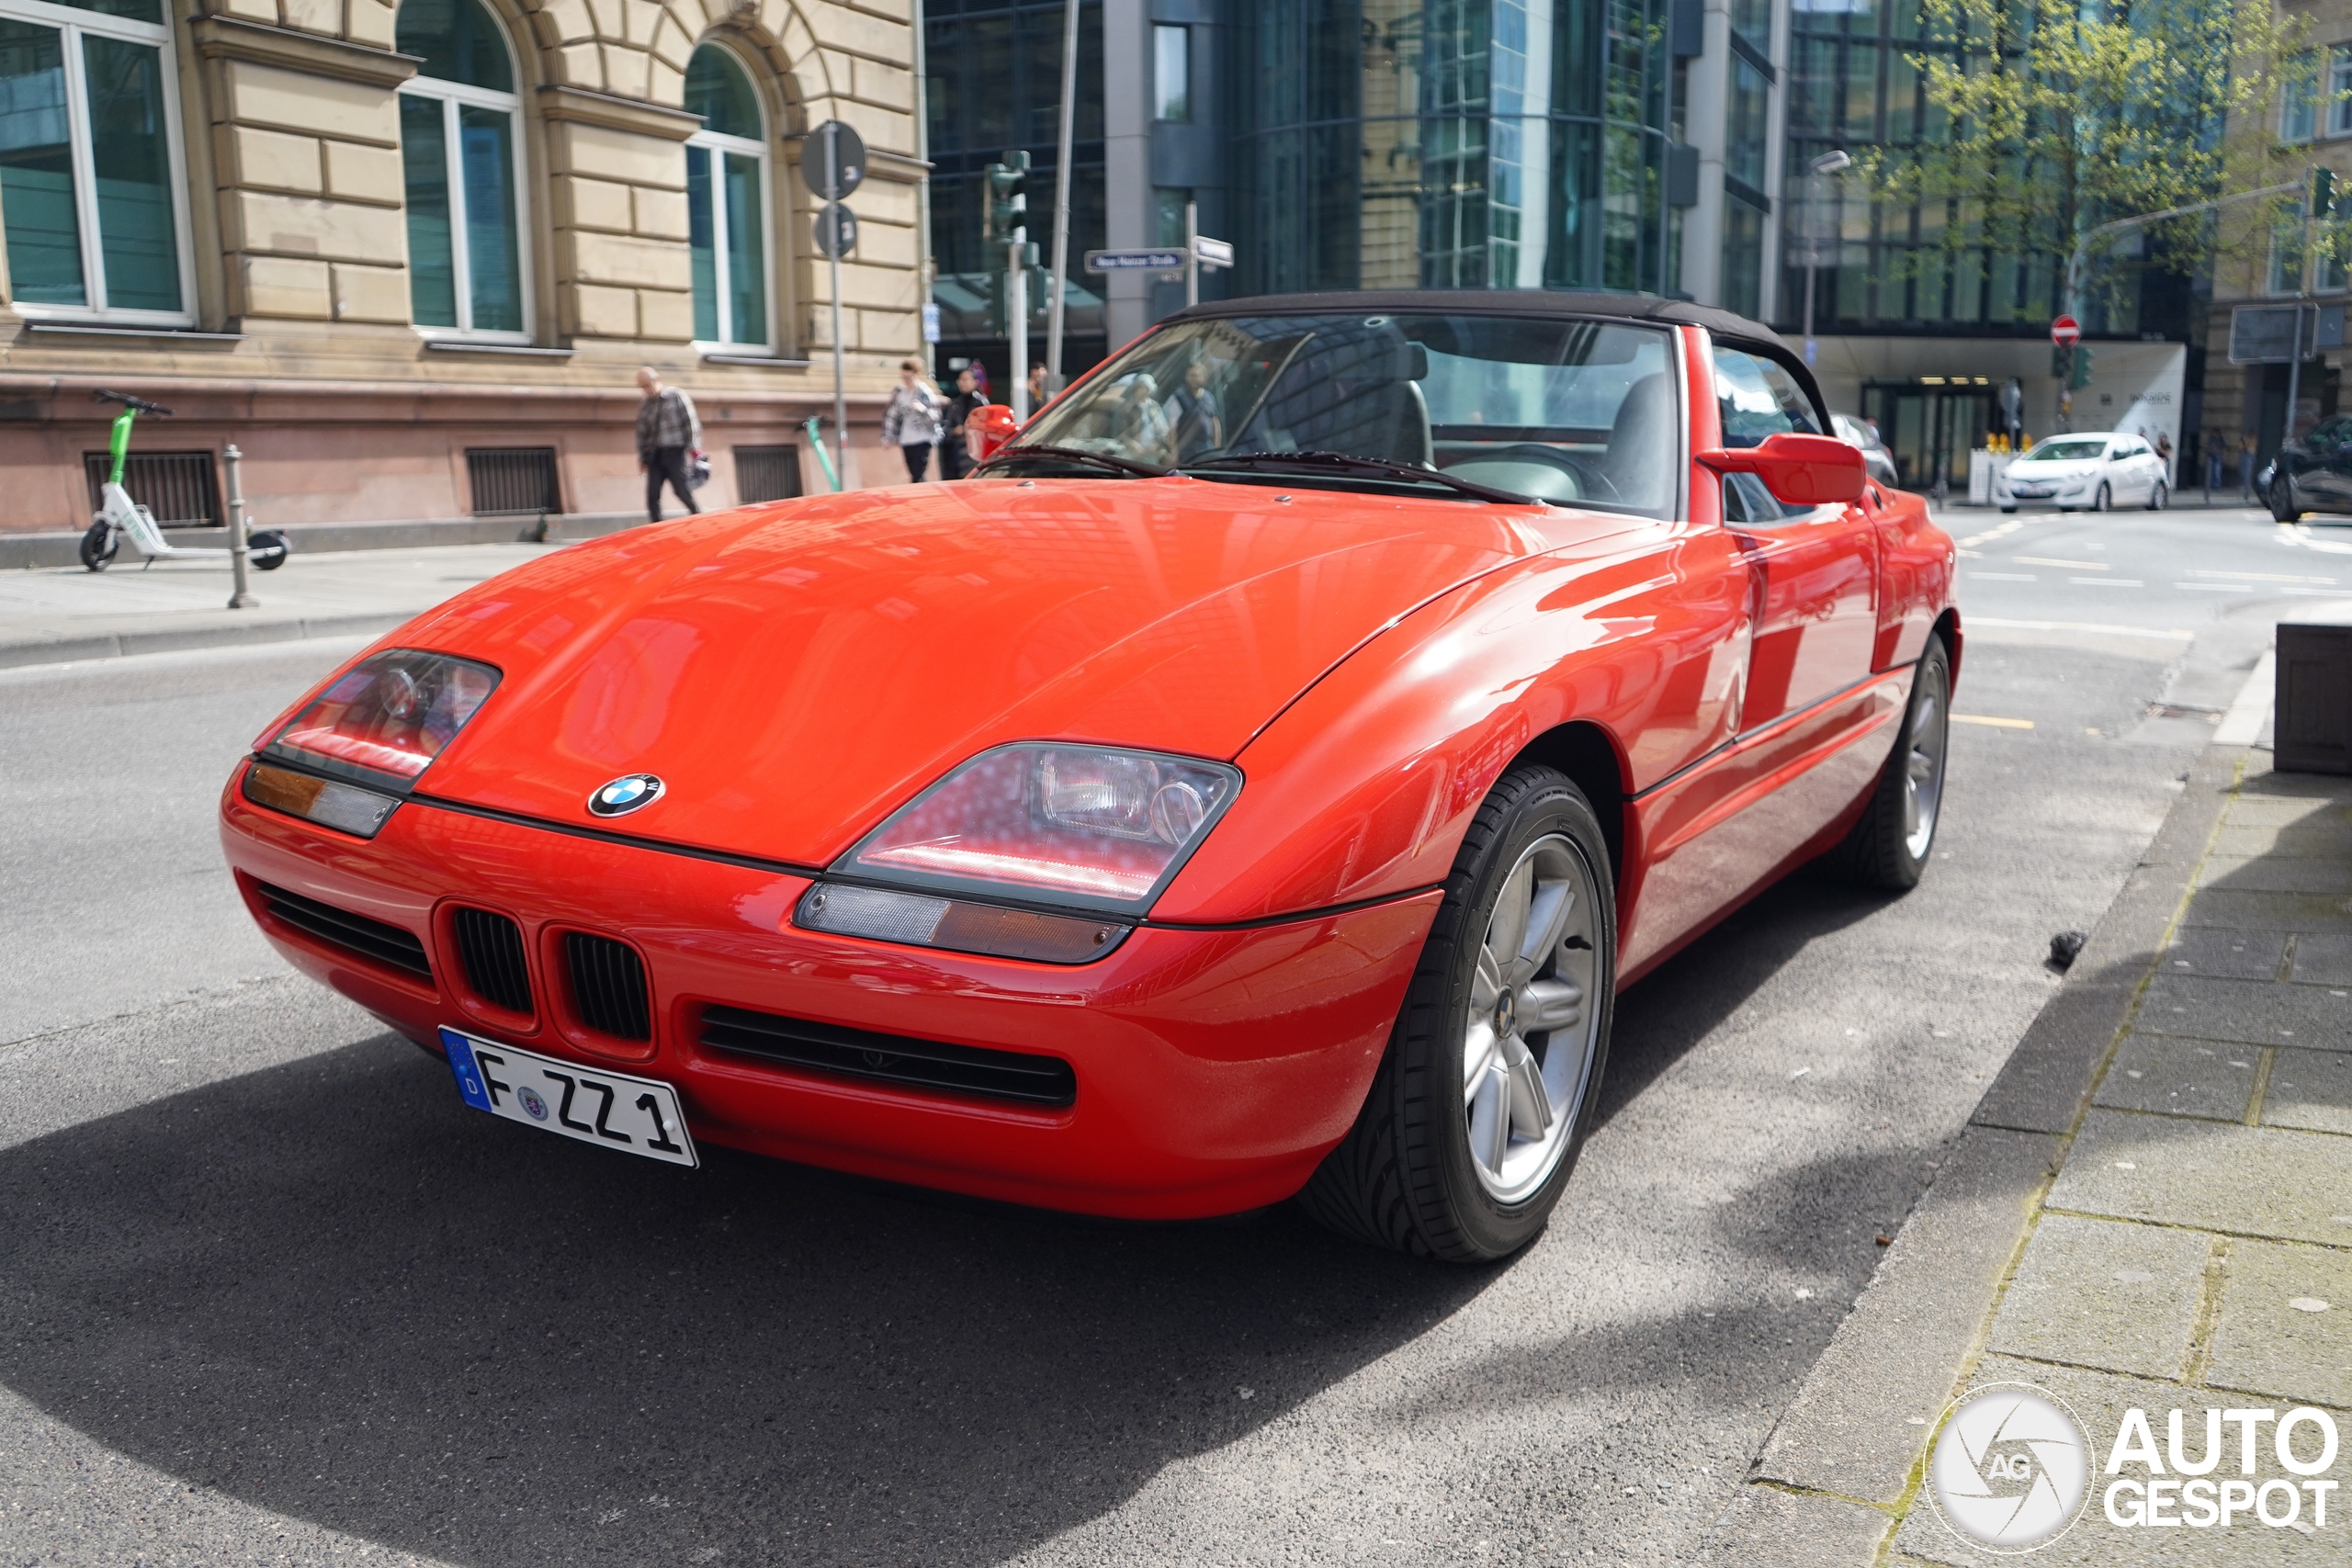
462 152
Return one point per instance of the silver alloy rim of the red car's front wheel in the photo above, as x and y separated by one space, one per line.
1530 1028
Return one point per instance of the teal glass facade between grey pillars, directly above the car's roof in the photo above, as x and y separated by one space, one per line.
1452 145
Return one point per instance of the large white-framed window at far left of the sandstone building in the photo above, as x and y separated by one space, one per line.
91 166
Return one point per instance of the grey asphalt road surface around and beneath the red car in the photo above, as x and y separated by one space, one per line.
272 1294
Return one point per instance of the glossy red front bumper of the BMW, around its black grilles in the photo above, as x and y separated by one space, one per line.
1215 1068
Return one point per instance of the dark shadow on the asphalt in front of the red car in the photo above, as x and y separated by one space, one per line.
335 1294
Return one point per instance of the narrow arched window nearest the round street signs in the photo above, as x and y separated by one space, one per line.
728 203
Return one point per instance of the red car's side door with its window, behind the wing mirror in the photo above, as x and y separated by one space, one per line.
1815 565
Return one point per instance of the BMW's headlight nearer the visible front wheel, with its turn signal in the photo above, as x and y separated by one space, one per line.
1076 826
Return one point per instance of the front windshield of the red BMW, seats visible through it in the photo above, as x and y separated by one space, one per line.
1558 410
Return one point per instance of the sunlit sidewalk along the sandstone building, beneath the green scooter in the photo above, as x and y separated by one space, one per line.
58 615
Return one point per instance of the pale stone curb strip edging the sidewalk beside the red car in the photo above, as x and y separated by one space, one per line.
1826 1485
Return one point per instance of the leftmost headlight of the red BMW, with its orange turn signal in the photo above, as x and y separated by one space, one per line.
380 725
